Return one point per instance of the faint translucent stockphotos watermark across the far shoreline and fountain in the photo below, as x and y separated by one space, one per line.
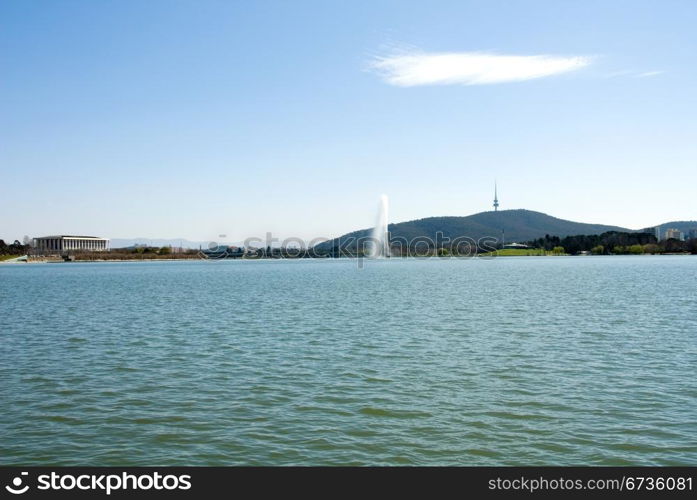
356 247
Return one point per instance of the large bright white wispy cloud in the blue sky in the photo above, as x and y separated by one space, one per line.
413 68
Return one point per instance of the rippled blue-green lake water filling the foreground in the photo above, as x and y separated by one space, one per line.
505 361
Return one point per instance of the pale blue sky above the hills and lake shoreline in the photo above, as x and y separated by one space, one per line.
192 119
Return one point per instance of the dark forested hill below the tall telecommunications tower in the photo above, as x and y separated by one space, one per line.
519 225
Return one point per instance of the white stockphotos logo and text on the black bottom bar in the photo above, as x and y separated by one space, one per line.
102 483
